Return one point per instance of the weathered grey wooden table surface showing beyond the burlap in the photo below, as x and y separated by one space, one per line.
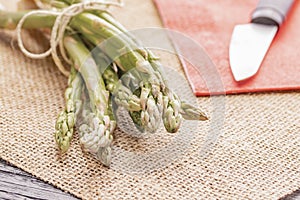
17 184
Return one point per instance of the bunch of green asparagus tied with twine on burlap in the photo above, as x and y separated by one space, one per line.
119 71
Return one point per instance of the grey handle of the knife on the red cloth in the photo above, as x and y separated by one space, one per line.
271 12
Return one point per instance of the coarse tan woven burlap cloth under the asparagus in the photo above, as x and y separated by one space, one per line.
256 156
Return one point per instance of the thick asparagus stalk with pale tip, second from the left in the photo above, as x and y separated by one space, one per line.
96 134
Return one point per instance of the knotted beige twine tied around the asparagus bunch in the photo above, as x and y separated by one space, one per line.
63 18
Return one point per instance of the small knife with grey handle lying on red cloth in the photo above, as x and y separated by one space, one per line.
250 42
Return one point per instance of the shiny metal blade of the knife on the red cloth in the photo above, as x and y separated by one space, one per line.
248 46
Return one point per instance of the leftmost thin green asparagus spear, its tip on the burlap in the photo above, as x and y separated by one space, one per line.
67 118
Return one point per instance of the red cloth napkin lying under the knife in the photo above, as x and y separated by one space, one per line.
211 23
